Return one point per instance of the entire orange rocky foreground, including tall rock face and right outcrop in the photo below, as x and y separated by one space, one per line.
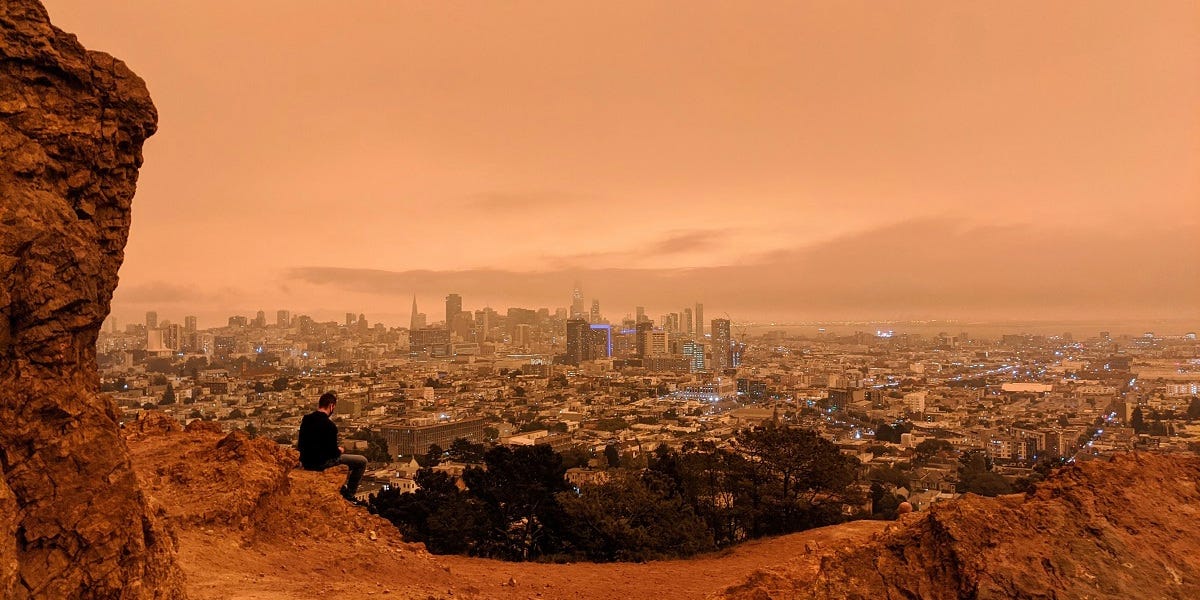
158 513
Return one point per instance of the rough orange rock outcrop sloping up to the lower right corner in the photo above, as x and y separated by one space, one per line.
1121 529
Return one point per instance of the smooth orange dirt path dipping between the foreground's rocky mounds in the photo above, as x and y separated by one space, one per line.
224 569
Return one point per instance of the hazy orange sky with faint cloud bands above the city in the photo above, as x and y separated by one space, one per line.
773 160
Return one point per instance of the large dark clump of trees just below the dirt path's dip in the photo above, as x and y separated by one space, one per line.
519 506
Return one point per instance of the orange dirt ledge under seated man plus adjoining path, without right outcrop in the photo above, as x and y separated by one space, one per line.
251 527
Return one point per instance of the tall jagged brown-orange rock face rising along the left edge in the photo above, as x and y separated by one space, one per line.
71 130
